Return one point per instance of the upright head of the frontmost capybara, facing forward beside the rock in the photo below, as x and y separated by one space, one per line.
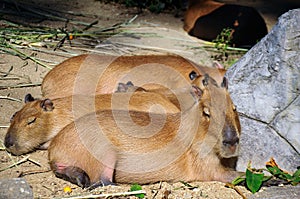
224 123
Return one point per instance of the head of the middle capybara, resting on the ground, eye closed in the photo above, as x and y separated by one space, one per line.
26 131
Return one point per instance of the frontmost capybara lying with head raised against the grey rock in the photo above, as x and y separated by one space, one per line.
200 143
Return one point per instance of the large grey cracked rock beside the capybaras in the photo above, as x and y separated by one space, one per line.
264 84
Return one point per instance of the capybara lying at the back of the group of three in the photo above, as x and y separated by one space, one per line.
92 74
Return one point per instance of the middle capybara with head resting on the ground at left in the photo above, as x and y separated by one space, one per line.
40 120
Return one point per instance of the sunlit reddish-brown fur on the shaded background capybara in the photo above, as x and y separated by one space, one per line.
196 9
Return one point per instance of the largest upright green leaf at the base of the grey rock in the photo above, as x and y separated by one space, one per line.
254 180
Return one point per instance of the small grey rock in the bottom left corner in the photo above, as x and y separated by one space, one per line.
15 188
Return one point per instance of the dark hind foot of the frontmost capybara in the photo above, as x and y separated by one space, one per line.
72 174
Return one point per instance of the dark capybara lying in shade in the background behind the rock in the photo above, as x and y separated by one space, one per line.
206 19
